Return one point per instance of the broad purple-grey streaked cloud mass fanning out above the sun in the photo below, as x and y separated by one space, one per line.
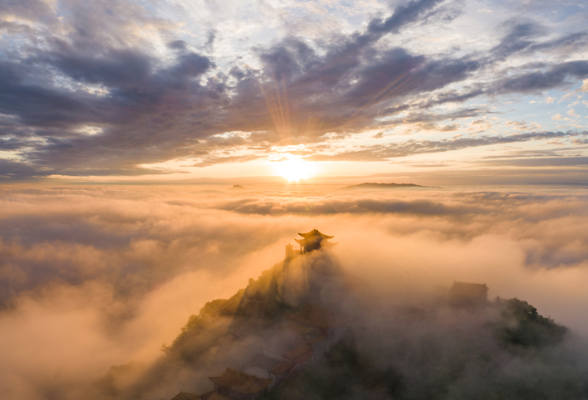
107 88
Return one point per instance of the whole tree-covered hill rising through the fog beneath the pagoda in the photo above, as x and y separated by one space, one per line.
495 350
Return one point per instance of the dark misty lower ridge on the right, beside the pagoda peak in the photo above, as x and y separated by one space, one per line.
422 359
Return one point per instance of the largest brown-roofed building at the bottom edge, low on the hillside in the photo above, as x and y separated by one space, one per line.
237 385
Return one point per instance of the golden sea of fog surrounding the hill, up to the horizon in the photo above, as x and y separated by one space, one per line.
98 276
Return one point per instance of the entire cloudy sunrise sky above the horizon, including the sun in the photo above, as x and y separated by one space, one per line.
176 90
